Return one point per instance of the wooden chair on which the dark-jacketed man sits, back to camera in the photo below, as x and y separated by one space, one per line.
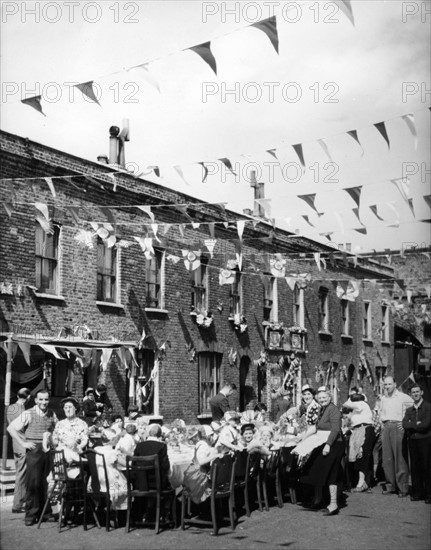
148 468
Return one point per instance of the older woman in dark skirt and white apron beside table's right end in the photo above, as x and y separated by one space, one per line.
323 468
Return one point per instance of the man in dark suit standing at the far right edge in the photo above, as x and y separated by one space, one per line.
417 423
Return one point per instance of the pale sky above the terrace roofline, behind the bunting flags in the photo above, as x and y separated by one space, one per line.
367 65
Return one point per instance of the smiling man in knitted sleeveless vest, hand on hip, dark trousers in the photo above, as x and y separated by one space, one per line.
28 430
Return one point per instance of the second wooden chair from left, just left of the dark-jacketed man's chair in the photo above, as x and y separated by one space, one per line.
102 498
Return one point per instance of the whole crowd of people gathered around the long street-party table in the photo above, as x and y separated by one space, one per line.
325 447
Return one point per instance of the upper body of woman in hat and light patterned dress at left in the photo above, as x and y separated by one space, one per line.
70 434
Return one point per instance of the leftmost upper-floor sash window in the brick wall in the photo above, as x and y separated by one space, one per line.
47 260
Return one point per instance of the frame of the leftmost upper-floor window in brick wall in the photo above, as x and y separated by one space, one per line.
53 261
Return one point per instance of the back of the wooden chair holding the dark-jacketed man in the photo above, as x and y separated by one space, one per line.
143 473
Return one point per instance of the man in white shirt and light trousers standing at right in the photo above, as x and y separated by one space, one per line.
394 404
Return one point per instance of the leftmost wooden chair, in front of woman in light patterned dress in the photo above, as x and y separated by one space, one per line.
72 492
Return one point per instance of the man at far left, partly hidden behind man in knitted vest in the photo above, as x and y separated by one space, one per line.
14 411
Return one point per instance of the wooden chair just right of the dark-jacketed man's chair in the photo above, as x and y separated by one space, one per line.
222 479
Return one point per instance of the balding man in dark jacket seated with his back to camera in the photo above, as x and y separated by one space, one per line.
153 445
